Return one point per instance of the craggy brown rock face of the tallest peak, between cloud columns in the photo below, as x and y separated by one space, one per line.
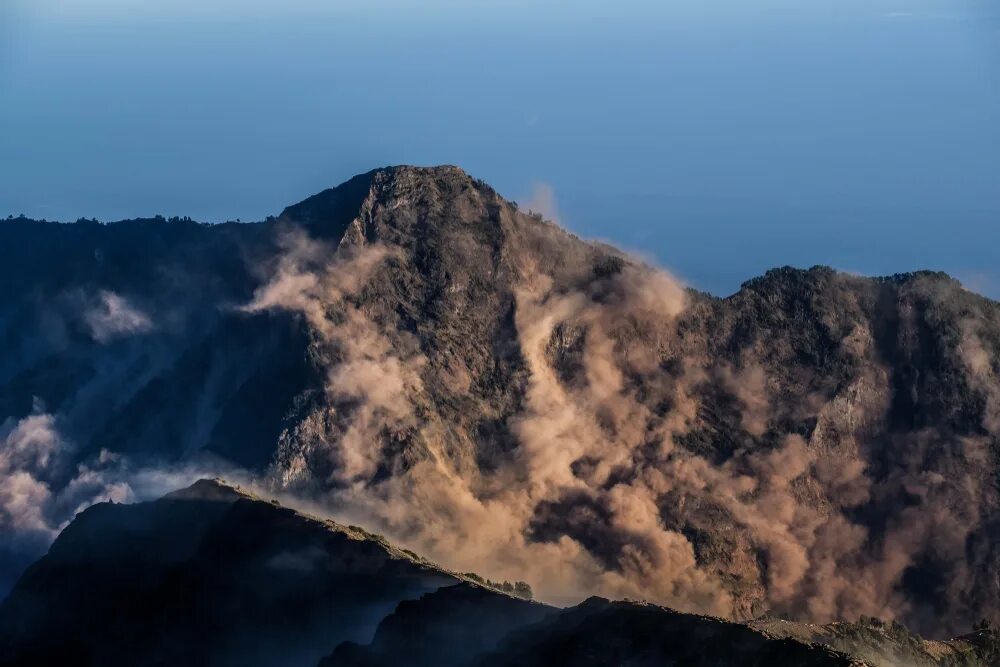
443 299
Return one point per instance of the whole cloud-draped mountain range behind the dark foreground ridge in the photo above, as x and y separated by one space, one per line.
412 350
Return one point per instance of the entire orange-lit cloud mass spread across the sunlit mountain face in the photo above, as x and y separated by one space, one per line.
596 494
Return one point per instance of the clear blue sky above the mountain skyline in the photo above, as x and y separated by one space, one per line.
720 137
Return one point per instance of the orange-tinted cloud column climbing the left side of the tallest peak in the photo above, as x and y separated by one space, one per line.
369 381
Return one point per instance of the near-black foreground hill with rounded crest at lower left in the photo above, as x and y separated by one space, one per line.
208 575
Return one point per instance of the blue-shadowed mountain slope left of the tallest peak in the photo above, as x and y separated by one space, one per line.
129 332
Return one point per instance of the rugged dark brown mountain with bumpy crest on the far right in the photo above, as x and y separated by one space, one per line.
892 384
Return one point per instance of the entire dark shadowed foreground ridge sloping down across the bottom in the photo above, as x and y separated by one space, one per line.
212 575
